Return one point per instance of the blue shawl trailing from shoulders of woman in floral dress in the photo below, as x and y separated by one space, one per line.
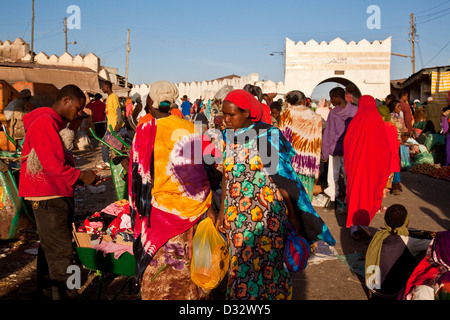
269 138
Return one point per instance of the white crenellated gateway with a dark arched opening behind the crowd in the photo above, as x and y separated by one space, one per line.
366 65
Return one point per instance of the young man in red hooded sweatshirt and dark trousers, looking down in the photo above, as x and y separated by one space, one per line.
50 188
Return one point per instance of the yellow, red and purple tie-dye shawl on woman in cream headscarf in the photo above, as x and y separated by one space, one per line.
168 187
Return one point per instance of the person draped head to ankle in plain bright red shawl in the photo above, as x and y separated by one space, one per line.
367 160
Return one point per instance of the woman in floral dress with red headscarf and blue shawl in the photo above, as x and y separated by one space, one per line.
255 204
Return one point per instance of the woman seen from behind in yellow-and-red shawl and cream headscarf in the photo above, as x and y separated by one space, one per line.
169 193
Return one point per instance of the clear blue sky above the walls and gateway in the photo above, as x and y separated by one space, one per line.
203 40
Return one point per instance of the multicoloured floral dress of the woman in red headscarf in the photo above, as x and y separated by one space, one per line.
255 215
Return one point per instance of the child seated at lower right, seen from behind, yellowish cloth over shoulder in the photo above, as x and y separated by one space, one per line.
392 255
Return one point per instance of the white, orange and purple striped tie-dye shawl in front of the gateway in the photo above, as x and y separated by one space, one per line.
302 127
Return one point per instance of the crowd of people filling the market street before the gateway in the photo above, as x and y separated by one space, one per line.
255 173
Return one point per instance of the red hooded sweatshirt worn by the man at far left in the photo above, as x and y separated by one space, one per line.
59 174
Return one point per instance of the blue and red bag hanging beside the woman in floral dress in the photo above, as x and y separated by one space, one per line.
296 251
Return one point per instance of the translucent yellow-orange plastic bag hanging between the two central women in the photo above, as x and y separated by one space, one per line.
210 258
